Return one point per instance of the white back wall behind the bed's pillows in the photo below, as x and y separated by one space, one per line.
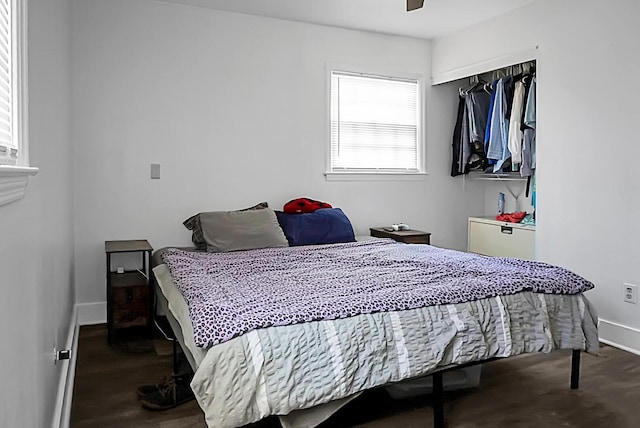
234 109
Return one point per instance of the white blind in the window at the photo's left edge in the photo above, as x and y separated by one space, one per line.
8 146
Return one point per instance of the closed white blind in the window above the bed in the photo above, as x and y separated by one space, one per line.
375 123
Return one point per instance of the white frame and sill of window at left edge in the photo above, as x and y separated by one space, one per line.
14 178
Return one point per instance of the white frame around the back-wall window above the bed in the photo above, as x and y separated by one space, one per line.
372 174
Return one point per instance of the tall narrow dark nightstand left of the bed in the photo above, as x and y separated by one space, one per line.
129 297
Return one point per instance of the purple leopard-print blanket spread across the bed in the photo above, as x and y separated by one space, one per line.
229 294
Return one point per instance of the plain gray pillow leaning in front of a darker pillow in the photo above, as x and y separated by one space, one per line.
225 231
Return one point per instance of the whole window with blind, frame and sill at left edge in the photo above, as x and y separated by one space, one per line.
14 162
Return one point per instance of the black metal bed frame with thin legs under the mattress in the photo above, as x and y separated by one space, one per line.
177 337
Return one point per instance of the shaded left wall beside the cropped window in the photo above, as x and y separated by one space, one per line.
37 237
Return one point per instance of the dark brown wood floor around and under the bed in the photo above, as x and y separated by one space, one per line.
530 391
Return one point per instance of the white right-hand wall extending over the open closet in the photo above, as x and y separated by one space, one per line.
587 138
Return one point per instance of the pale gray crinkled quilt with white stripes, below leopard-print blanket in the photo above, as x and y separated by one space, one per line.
280 369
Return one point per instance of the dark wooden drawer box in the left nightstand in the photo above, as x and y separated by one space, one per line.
130 306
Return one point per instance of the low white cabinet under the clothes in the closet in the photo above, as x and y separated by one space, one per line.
501 239
